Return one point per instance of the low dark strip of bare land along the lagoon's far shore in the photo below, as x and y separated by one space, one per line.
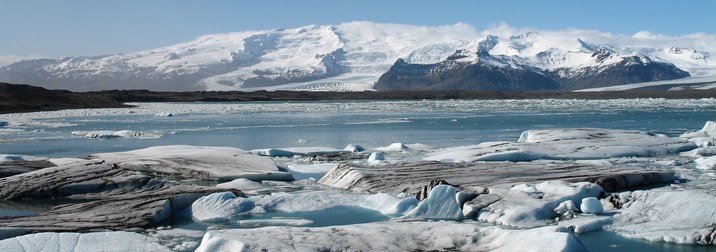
25 98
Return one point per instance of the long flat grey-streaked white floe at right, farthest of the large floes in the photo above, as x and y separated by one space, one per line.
575 144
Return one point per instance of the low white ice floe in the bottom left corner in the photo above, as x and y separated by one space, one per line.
79 242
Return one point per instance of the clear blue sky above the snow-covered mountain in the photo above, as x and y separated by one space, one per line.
52 28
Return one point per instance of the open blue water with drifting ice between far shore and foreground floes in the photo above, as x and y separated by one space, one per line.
372 124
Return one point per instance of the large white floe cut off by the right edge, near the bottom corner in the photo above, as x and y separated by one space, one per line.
666 215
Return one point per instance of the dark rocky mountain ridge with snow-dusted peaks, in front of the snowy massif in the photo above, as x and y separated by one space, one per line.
453 74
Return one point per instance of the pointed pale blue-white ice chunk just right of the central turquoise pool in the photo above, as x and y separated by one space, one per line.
441 204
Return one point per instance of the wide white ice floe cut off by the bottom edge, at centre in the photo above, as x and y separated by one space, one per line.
392 236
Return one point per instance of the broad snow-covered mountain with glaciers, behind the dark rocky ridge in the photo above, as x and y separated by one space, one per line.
353 56
